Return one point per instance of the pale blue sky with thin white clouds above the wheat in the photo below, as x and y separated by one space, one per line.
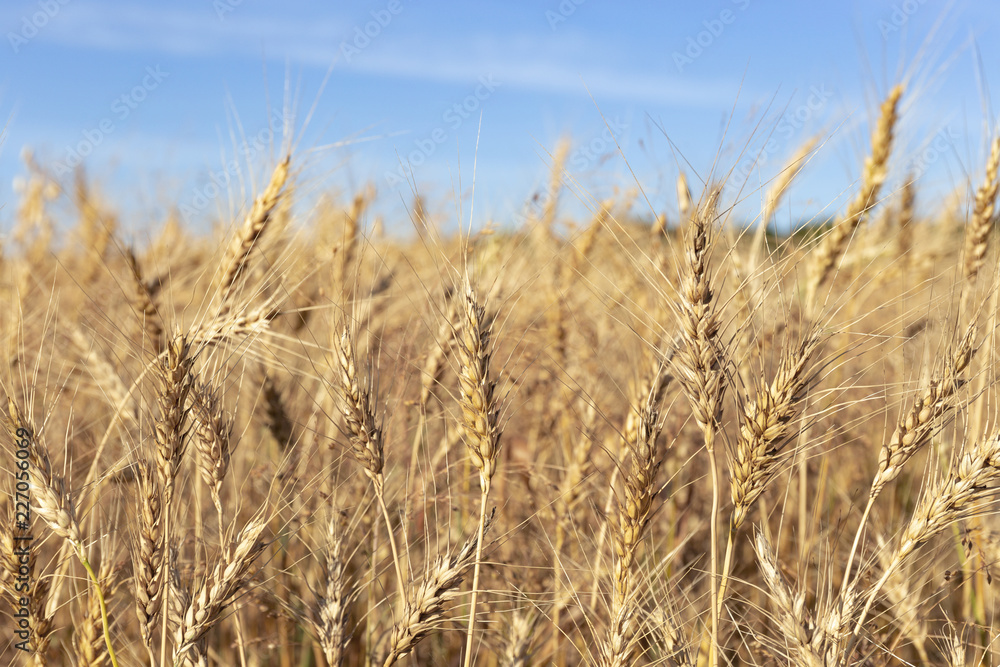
162 96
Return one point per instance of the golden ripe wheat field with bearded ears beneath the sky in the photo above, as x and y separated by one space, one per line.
623 440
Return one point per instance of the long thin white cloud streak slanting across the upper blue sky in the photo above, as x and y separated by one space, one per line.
568 63
